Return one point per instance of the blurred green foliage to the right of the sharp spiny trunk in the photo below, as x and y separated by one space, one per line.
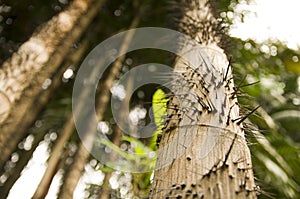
276 154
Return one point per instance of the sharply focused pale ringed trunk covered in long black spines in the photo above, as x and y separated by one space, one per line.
203 152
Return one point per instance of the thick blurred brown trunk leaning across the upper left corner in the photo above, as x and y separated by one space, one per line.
27 74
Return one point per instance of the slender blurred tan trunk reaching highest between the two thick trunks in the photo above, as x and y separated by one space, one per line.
74 173
